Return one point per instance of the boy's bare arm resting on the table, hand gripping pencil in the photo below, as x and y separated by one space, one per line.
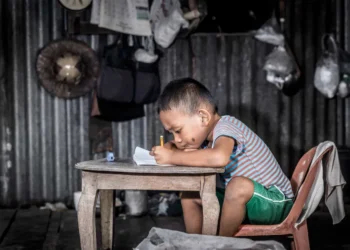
218 156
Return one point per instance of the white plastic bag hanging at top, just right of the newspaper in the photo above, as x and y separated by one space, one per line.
166 21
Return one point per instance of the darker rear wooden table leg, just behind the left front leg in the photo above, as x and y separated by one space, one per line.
107 217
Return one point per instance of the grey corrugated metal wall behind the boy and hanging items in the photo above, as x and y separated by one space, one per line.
42 136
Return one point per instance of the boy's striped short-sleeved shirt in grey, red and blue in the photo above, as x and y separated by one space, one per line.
250 157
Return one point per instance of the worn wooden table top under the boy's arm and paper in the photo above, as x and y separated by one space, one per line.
129 166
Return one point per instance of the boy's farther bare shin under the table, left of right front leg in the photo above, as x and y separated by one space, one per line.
192 212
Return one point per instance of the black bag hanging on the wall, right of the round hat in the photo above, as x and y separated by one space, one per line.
125 80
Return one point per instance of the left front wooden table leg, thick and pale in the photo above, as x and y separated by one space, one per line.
86 212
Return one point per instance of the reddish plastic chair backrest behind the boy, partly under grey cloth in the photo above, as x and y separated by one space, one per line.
302 180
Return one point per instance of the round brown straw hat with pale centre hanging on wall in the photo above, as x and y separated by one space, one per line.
67 68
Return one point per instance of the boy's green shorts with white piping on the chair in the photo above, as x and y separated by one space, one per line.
265 207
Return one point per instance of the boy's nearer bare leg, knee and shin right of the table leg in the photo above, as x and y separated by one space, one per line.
238 192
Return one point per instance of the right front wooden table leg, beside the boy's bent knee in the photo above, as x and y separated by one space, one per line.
210 203
